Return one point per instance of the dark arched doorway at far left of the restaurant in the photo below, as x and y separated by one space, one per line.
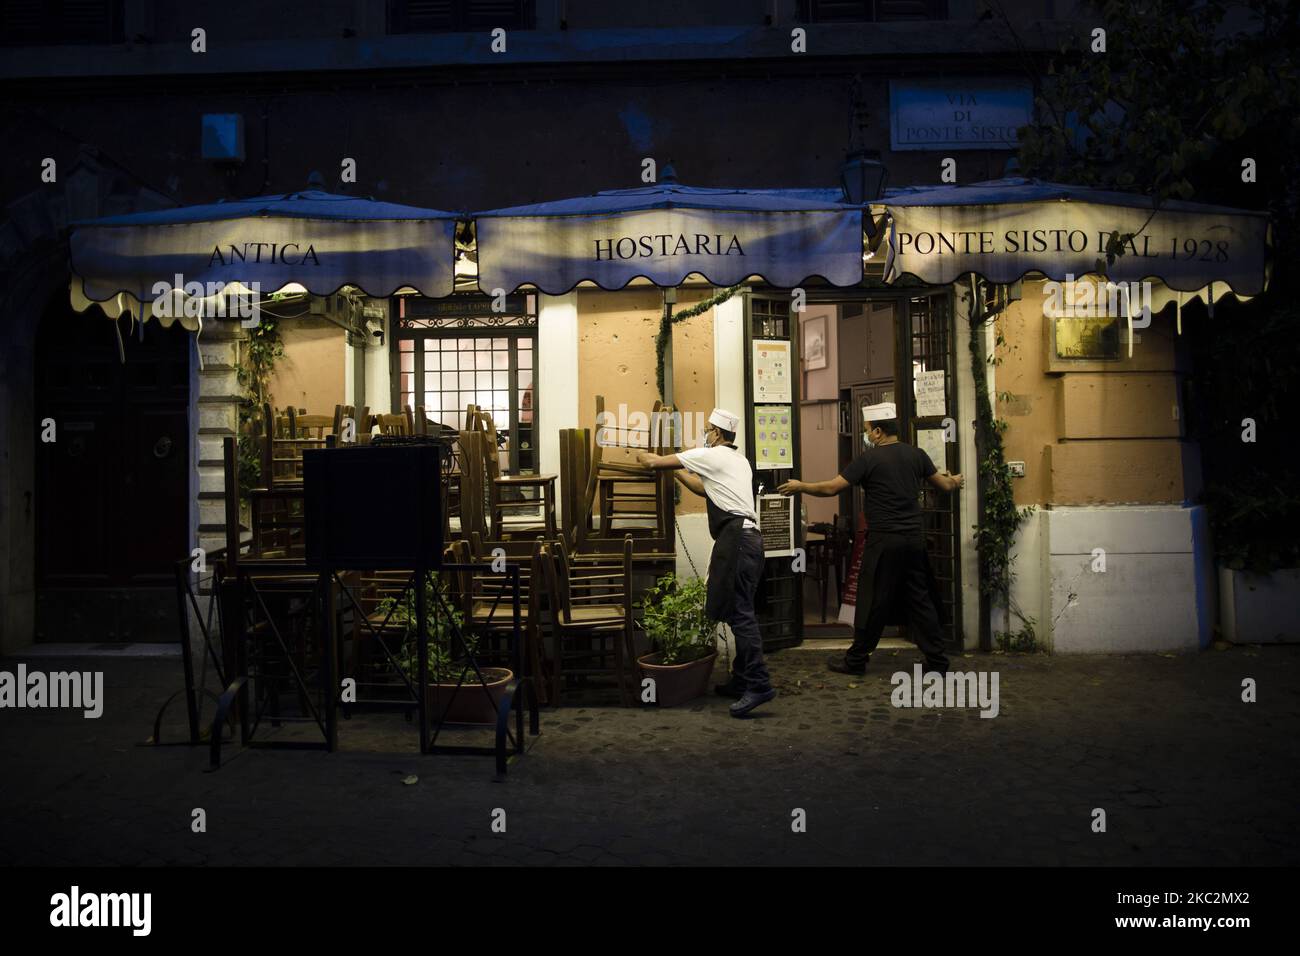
112 490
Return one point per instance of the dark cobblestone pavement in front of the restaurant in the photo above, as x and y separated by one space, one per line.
1186 772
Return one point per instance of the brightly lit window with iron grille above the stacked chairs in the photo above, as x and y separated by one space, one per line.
454 353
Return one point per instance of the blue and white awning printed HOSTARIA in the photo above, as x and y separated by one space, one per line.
668 232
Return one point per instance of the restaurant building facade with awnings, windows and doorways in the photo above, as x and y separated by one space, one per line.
830 167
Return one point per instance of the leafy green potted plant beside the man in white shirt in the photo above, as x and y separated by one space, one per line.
683 639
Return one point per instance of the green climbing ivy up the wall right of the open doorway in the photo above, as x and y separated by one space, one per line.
1000 518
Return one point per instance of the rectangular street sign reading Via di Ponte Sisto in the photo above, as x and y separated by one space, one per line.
957 115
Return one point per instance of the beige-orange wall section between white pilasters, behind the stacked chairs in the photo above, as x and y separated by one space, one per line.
617 358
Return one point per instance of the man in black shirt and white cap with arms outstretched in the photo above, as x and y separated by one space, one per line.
895 578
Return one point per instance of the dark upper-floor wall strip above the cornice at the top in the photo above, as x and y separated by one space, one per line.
123 38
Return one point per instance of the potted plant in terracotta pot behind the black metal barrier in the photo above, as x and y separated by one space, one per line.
448 667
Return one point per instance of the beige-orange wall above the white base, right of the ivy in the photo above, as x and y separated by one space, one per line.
1093 434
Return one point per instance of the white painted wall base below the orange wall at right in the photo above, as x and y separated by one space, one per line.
1154 594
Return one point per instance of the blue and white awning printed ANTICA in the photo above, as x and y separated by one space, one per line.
310 240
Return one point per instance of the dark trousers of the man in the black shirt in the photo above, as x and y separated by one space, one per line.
902 578
